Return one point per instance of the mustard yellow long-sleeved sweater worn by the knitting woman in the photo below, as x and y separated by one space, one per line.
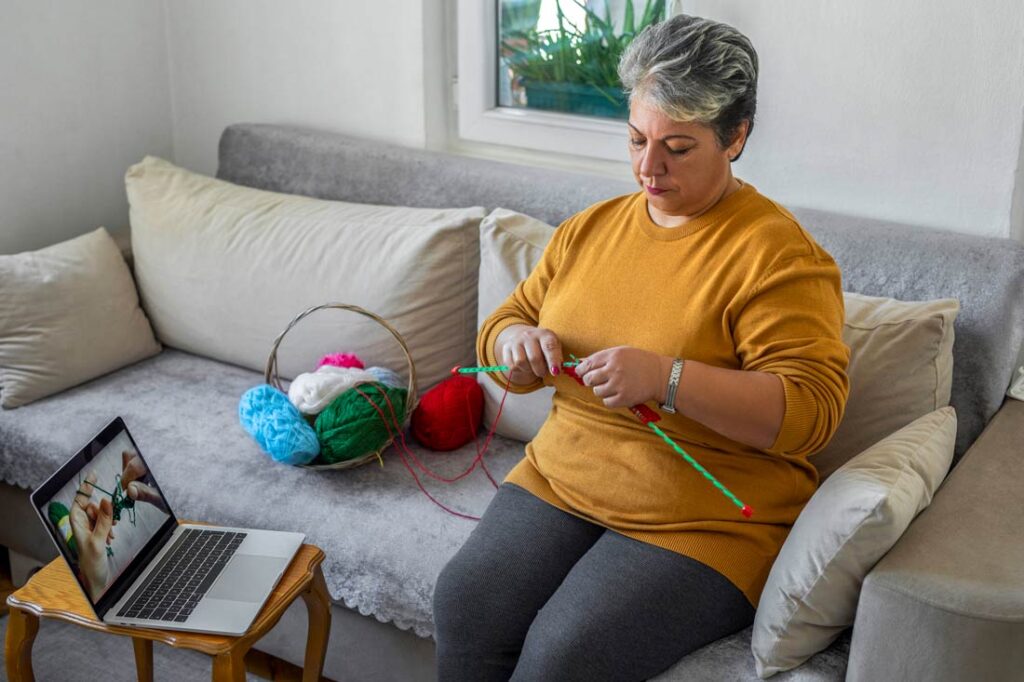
741 287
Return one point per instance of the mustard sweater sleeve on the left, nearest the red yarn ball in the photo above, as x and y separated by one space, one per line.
523 308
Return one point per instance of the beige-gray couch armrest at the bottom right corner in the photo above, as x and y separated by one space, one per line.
948 602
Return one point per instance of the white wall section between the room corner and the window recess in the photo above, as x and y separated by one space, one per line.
348 66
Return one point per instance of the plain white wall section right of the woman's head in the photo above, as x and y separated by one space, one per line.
911 111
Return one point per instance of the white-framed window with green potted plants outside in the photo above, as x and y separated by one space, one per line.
541 74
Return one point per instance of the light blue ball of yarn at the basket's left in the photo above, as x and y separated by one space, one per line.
275 423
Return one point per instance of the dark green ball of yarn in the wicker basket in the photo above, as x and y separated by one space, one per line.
351 428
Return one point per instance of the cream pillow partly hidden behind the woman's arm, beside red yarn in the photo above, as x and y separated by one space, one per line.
511 245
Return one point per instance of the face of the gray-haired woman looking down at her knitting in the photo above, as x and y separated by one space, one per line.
680 166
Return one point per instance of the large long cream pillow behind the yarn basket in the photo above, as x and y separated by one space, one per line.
223 270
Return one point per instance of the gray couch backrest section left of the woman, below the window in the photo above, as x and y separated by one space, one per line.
331 166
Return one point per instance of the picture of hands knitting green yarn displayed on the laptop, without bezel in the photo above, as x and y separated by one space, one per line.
107 514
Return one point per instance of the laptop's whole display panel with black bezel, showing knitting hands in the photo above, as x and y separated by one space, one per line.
105 510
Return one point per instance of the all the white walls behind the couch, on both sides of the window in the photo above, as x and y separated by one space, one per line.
910 111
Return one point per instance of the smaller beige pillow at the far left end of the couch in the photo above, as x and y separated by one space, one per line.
68 314
